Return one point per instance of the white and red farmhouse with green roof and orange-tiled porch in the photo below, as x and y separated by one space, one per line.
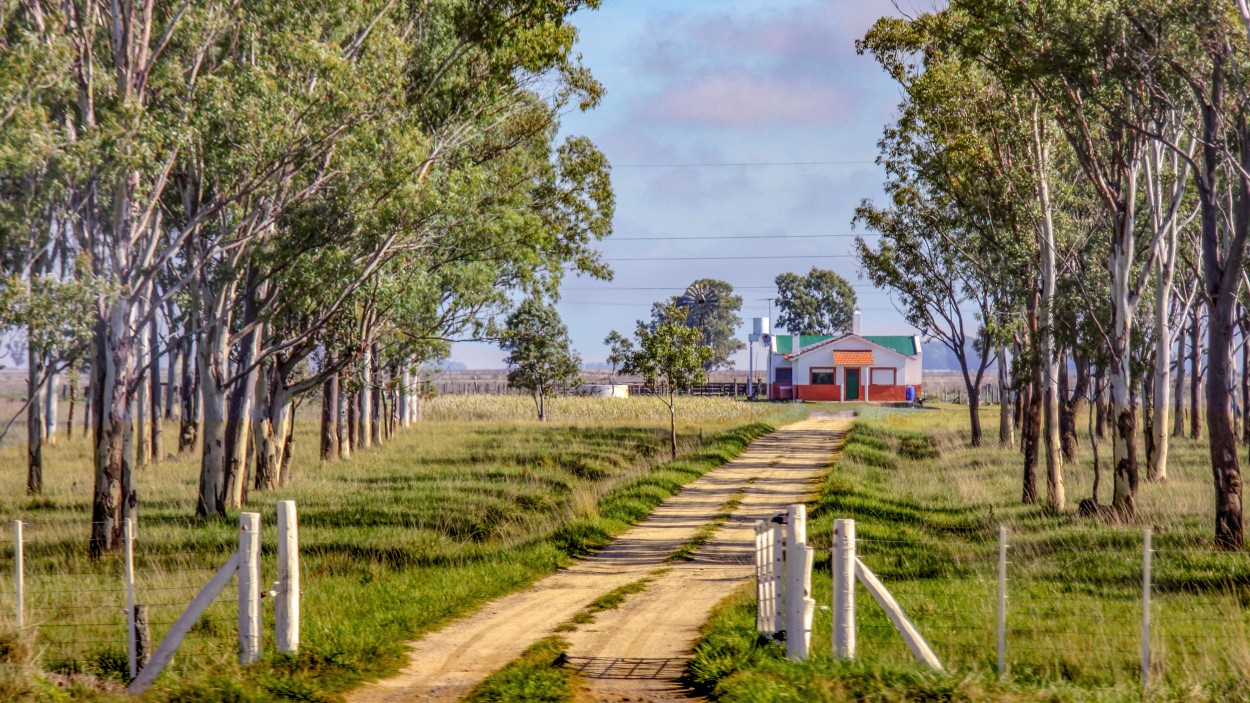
852 367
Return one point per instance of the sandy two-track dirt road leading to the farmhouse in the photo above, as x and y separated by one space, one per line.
637 651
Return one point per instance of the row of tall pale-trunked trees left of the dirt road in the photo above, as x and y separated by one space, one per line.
262 200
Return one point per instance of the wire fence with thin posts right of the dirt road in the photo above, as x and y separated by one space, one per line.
1088 610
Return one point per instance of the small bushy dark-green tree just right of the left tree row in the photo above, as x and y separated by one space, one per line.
541 358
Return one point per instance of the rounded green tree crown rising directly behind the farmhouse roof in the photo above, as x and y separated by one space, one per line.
818 303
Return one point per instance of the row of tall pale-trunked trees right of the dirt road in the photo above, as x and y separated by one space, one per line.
1069 187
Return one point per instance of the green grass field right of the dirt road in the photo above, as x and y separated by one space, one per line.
928 511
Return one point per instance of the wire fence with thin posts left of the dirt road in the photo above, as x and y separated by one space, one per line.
74 611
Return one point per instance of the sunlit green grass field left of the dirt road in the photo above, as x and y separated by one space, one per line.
472 503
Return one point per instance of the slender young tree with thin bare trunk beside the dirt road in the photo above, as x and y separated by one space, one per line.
671 357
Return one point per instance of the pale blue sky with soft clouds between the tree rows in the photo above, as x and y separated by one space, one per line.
742 136
